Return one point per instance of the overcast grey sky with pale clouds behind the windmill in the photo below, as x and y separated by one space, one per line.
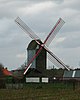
40 16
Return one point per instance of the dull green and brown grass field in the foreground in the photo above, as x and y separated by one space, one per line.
42 92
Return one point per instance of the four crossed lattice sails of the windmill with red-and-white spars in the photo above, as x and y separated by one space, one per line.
54 59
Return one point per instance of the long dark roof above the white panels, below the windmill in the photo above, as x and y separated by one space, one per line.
45 73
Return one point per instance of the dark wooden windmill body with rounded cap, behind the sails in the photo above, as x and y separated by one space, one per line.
41 60
